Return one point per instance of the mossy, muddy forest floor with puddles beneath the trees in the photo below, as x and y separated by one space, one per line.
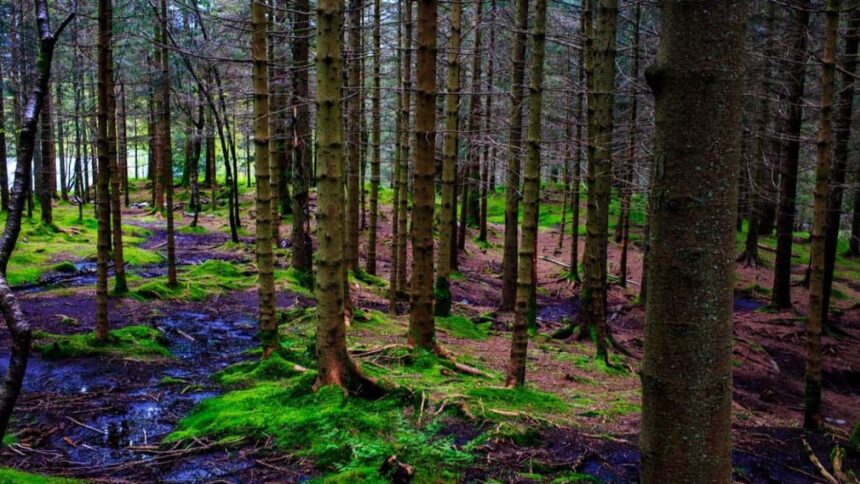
179 394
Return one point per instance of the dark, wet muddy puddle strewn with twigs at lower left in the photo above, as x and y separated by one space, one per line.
100 416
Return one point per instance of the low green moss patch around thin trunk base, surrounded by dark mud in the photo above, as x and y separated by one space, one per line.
127 342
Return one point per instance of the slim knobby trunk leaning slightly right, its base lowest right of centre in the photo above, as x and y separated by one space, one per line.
526 282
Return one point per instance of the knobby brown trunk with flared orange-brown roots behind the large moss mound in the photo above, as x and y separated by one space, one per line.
334 366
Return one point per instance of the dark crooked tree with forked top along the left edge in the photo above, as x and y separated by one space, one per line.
10 308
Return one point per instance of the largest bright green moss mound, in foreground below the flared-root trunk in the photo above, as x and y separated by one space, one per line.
346 437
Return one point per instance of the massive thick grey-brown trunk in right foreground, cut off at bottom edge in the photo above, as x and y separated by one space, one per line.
697 80
